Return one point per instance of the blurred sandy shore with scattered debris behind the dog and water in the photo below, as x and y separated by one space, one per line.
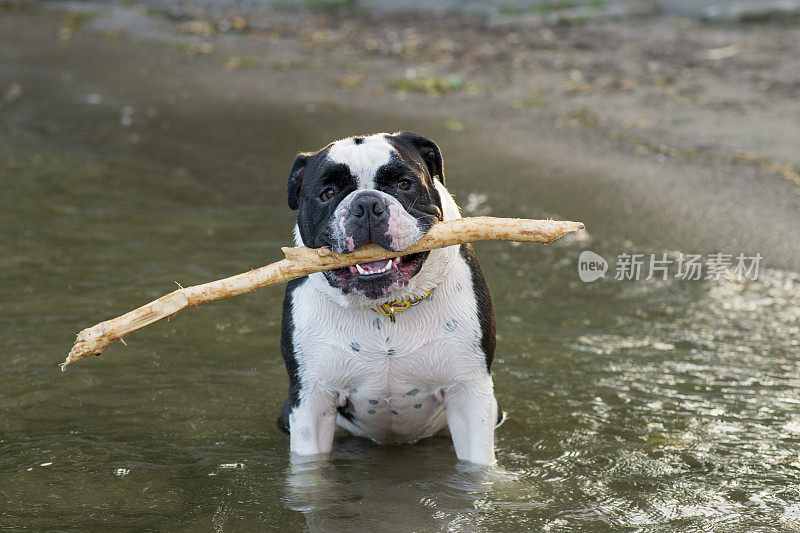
667 132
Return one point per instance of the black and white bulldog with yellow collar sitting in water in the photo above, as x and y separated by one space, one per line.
393 350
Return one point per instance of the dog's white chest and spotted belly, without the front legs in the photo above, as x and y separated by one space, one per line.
390 377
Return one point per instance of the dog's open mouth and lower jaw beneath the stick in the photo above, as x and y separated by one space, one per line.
377 279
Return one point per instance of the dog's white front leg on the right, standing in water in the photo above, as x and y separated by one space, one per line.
471 411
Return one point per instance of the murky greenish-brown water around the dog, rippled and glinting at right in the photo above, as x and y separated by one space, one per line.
632 405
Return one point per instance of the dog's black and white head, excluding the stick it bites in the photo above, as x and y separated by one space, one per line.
380 189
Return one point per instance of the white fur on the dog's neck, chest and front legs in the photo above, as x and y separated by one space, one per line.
406 380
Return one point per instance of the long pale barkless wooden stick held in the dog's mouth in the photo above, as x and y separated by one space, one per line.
303 261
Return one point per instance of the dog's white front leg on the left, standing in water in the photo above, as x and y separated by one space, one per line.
312 423
